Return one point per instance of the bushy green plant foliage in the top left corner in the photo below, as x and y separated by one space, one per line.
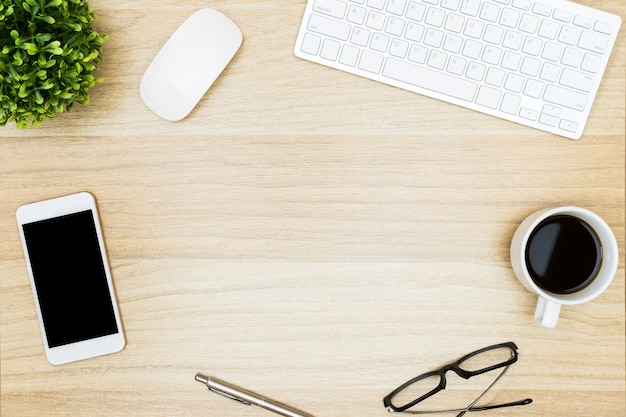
48 53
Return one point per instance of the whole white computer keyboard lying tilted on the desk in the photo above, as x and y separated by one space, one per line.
534 62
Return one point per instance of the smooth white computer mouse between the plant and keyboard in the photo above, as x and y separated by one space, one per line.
188 63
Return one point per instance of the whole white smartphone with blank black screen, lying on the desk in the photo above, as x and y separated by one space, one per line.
70 278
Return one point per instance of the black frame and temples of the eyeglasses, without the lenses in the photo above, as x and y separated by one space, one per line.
441 372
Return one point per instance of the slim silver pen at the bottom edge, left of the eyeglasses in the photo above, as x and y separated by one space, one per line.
247 397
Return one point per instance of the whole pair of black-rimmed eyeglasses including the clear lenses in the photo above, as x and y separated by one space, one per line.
426 385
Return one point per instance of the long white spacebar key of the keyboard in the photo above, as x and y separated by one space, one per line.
430 80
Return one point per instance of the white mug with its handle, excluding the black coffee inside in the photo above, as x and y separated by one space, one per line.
549 303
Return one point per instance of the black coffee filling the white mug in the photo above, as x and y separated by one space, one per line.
563 254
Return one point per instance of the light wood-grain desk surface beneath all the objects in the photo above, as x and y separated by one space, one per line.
307 234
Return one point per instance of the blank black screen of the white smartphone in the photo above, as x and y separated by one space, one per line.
70 279
